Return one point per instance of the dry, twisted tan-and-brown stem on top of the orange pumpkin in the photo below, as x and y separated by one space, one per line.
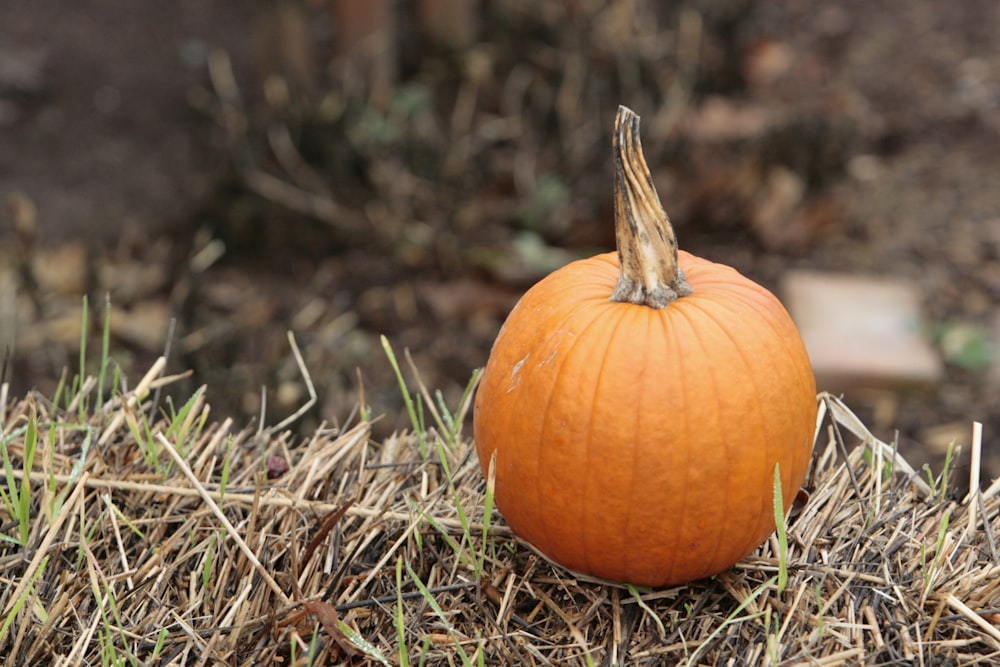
647 246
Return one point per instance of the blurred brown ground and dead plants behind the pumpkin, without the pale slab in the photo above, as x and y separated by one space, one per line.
347 169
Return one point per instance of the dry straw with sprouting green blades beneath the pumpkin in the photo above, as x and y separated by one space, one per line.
175 540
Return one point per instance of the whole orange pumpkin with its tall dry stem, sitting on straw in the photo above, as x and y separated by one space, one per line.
637 404
